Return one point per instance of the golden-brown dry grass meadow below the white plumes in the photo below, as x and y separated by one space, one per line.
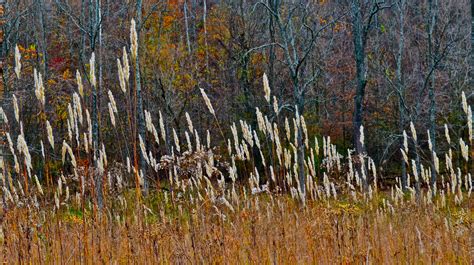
261 229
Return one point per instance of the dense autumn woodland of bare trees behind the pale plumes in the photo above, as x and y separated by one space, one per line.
343 64
